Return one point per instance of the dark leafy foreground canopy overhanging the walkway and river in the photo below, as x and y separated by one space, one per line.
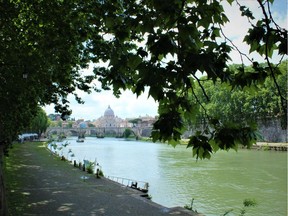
159 45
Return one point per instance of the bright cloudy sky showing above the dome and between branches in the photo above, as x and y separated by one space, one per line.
129 106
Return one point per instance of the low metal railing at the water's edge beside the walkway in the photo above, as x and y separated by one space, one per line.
139 185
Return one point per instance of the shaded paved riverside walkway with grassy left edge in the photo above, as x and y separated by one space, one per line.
38 183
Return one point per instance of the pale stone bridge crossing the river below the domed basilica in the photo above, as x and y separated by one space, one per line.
99 131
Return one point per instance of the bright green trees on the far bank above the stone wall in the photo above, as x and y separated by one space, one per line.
242 105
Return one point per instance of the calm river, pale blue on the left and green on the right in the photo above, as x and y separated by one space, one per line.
175 177
